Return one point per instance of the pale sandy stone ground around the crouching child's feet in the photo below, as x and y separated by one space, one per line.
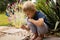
11 33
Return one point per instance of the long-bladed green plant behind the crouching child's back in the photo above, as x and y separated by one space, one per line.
50 9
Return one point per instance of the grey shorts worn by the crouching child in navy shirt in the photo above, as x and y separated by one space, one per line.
40 30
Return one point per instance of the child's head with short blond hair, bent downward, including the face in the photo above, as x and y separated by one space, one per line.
29 8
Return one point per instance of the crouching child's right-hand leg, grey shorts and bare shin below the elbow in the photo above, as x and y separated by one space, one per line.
42 30
